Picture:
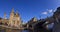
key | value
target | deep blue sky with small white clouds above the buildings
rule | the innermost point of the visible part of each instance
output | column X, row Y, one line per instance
column 29, row 8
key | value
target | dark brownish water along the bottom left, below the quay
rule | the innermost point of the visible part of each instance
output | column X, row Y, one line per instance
column 4, row 29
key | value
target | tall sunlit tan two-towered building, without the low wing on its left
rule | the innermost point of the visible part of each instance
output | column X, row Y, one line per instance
column 14, row 19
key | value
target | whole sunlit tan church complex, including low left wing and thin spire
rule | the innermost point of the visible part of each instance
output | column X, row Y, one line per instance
column 14, row 19
